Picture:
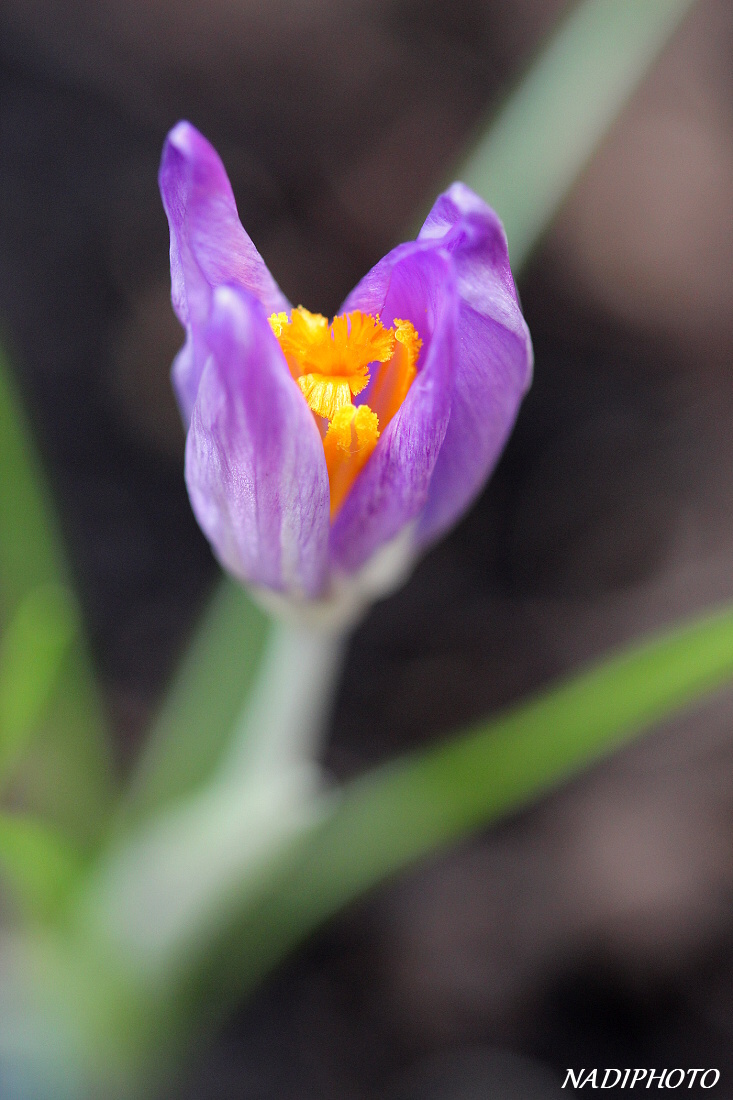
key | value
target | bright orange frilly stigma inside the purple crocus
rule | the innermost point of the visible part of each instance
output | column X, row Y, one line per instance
column 332, row 365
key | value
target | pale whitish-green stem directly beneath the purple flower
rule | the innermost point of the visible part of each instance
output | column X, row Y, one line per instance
column 163, row 889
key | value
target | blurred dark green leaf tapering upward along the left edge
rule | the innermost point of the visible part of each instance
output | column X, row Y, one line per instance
column 71, row 778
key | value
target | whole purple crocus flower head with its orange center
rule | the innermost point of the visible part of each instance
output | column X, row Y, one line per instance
column 323, row 459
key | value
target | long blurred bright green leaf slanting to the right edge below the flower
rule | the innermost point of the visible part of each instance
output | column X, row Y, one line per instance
column 413, row 808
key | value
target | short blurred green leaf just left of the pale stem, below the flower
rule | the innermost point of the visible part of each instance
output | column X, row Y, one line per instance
column 201, row 711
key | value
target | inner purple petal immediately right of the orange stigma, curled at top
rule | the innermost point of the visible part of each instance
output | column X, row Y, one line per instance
column 393, row 487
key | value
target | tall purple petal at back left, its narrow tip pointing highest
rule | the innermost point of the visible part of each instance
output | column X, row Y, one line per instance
column 209, row 248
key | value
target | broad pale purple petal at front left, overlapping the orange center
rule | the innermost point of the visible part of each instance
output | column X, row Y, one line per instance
column 255, row 460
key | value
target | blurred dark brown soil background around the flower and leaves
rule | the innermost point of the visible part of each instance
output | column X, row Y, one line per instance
column 597, row 929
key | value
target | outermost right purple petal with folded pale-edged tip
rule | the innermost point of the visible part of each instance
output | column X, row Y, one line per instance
column 495, row 362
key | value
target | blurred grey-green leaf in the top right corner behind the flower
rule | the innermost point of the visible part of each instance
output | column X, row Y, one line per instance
column 528, row 160
